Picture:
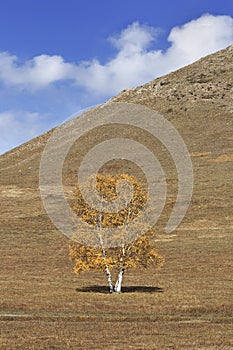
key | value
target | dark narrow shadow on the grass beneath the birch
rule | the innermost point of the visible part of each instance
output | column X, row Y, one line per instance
column 125, row 289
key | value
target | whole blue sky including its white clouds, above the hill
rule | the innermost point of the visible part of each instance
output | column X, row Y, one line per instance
column 57, row 57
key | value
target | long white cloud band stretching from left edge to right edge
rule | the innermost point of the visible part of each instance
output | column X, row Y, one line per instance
column 134, row 63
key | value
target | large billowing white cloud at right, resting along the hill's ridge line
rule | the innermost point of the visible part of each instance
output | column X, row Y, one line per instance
column 135, row 63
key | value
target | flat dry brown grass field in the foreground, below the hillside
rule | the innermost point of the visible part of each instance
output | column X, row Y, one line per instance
column 185, row 305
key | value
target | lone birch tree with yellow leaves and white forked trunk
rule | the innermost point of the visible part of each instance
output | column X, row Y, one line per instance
column 127, row 248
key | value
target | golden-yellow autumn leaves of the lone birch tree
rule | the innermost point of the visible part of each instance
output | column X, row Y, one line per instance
column 135, row 255
